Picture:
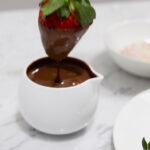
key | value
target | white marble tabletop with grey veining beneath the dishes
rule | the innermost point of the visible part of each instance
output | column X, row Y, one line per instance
column 20, row 43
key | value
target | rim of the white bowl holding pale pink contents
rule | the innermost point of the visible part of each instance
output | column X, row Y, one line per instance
column 120, row 24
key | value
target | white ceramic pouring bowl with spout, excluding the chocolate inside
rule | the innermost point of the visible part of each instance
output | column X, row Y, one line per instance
column 59, row 110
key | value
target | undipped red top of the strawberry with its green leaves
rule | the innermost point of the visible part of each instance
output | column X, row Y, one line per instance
column 66, row 14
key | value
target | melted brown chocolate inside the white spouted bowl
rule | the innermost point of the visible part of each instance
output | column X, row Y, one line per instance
column 72, row 72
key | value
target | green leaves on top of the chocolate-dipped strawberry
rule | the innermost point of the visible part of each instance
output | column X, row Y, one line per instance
column 83, row 9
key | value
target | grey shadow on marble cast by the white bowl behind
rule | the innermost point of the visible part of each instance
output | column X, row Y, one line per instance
column 116, row 79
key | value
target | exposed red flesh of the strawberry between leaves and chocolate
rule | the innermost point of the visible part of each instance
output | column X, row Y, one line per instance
column 53, row 21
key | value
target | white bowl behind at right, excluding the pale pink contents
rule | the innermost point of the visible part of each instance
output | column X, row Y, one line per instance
column 123, row 34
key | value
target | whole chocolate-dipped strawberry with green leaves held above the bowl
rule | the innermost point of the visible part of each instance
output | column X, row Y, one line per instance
column 62, row 23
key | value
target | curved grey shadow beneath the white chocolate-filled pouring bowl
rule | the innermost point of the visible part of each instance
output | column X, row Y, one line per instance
column 26, row 128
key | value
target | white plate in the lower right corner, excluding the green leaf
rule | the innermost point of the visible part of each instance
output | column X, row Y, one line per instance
column 133, row 123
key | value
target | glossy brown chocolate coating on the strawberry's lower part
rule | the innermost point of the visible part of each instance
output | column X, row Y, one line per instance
column 59, row 42
